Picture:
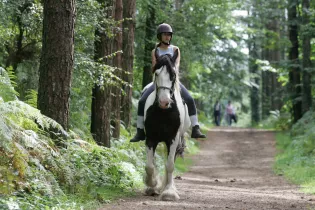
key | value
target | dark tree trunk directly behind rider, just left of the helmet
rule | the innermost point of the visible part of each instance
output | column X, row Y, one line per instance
column 149, row 45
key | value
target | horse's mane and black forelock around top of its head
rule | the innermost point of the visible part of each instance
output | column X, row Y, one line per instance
column 166, row 60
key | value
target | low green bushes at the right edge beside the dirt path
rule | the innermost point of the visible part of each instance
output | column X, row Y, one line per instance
column 297, row 151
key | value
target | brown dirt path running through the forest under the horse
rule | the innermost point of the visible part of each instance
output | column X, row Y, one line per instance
column 232, row 171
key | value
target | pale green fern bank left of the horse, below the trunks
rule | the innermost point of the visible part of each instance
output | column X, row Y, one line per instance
column 43, row 175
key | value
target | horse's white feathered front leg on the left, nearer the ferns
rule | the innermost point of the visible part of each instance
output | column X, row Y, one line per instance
column 152, row 179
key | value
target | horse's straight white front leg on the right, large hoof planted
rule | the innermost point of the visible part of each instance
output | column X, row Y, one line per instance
column 170, row 193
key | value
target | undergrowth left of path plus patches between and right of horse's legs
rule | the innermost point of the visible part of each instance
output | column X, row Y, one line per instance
column 69, row 171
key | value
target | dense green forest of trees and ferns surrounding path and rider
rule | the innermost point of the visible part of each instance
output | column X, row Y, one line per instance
column 71, row 73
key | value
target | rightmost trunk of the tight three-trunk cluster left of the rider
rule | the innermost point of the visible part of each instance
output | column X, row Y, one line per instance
column 128, row 56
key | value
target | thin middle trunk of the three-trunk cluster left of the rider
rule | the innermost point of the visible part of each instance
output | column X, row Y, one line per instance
column 118, row 64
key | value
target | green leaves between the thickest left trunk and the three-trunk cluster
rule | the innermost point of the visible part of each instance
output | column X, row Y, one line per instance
column 87, row 71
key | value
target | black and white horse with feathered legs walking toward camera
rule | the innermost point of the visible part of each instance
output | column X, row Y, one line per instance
column 166, row 120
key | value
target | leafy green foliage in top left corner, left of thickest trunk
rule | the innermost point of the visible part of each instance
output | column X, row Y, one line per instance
column 20, row 40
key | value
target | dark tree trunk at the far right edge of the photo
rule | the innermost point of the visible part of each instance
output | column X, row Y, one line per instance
column 307, row 77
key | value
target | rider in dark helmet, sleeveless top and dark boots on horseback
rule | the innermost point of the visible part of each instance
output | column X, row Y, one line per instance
column 164, row 34
